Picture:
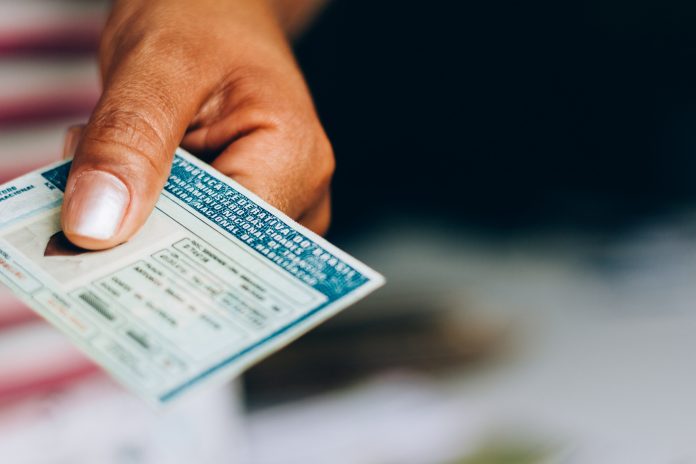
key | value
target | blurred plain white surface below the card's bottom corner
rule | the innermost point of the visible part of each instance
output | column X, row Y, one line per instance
column 97, row 422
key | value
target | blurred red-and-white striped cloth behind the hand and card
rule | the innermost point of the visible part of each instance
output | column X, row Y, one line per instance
column 48, row 80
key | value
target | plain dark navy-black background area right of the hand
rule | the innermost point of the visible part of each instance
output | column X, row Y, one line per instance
column 506, row 115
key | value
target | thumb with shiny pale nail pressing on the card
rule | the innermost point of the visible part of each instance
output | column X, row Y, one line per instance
column 124, row 155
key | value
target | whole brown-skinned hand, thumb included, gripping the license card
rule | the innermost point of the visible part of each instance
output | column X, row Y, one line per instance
column 217, row 77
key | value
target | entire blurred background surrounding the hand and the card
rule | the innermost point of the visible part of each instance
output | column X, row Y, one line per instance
column 521, row 172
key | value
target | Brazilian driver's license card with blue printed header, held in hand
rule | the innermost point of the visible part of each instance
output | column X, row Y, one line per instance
column 216, row 280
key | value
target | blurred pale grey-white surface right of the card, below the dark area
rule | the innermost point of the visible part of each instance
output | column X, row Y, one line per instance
column 601, row 364
